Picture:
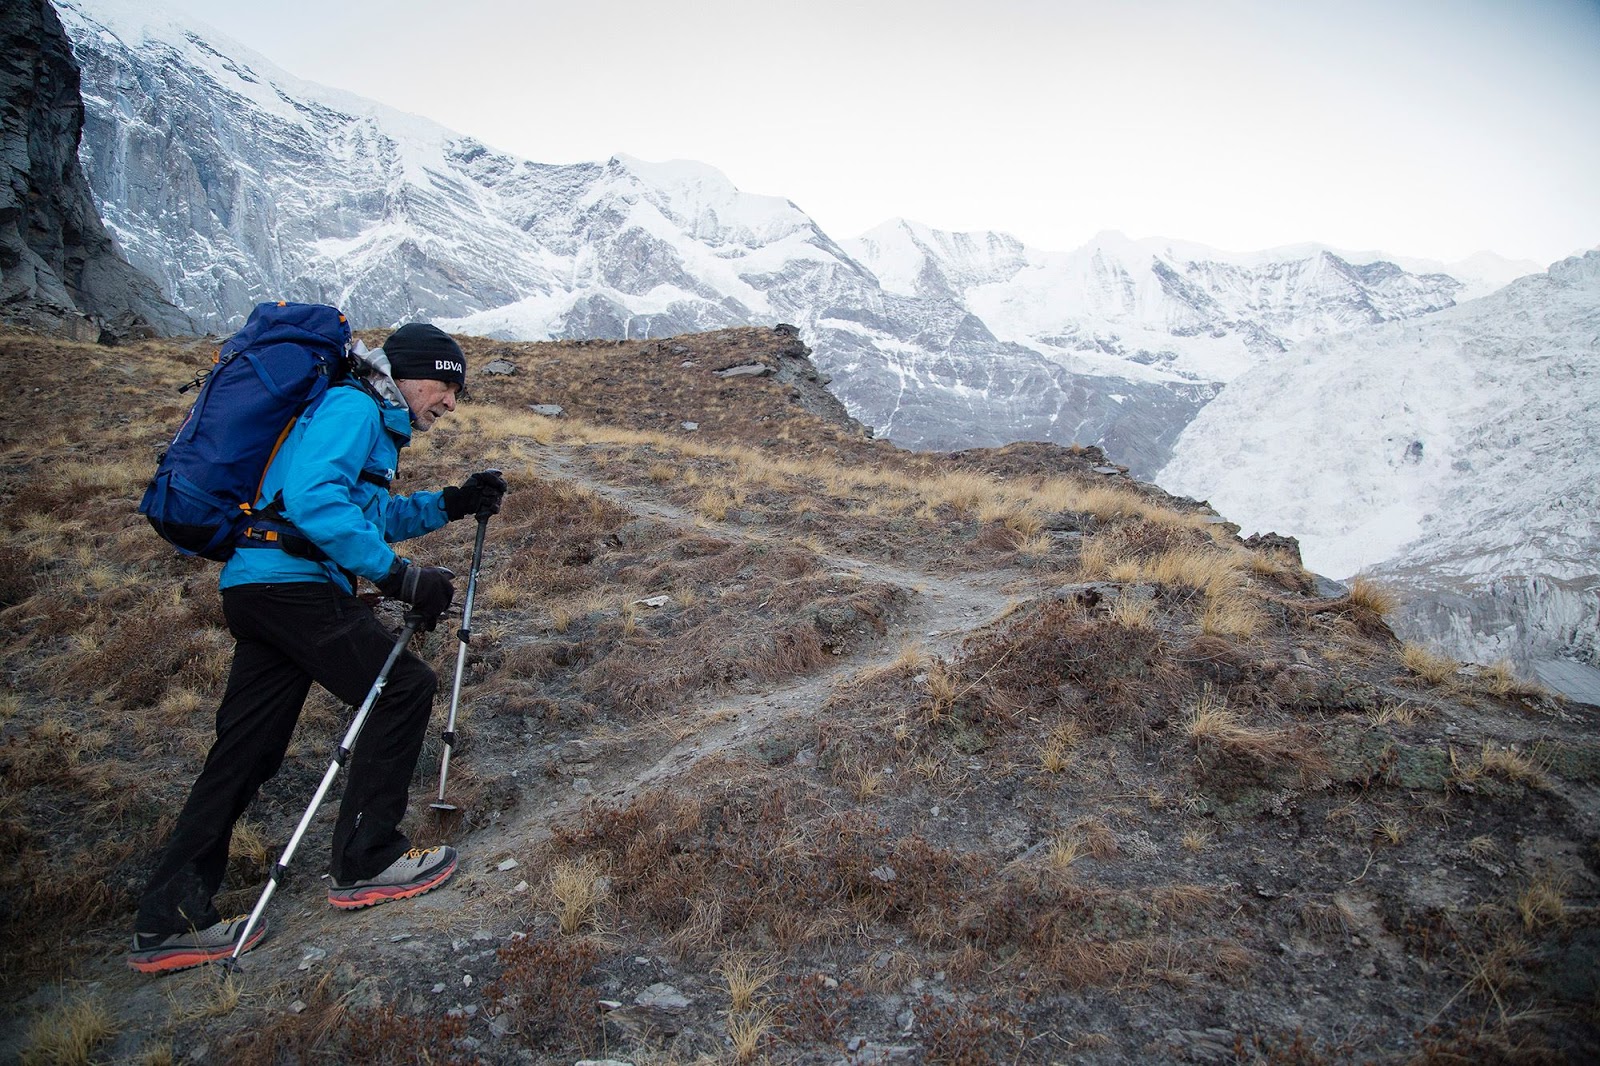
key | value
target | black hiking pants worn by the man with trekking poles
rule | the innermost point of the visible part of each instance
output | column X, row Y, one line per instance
column 290, row 636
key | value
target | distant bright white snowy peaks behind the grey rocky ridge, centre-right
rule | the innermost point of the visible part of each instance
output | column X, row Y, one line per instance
column 1177, row 311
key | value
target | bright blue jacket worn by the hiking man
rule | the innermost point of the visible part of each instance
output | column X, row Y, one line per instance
column 351, row 519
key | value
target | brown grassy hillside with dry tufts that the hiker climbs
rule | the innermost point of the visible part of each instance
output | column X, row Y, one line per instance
column 785, row 745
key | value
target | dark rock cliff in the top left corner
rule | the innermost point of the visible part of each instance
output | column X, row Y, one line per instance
column 60, row 271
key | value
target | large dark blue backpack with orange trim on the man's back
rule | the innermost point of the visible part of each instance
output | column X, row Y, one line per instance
column 263, row 379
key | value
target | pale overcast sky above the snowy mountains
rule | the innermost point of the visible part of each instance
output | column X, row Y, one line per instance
column 1415, row 127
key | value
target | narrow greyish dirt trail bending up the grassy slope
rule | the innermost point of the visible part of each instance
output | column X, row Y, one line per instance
column 486, row 900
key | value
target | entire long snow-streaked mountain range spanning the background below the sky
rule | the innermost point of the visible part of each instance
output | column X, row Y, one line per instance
column 231, row 182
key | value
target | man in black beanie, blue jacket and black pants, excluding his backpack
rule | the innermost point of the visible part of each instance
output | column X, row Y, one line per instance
column 289, row 596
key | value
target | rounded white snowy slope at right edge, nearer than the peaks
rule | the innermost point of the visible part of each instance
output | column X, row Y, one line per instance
column 1455, row 457
